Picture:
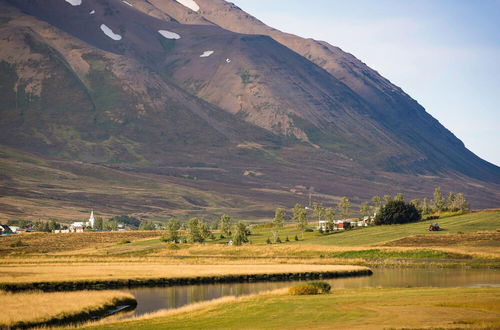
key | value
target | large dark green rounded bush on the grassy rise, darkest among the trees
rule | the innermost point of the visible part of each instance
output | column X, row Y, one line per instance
column 395, row 212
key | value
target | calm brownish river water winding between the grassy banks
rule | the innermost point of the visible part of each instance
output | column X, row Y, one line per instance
column 154, row 299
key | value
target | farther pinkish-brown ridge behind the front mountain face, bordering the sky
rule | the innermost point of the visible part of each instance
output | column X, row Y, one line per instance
column 388, row 105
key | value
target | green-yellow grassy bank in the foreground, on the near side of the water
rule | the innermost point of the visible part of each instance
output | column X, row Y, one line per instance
column 343, row 309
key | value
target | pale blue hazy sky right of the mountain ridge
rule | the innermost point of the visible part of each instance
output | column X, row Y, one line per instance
column 443, row 53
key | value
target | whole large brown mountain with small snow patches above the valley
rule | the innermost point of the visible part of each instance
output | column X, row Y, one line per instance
column 200, row 91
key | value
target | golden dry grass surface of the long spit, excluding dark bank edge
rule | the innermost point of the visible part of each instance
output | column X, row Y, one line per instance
column 137, row 270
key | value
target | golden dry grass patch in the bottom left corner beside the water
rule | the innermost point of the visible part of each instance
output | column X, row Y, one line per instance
column 42, row 307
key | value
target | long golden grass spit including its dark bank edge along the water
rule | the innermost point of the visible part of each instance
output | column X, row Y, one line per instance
column 75, row 277
